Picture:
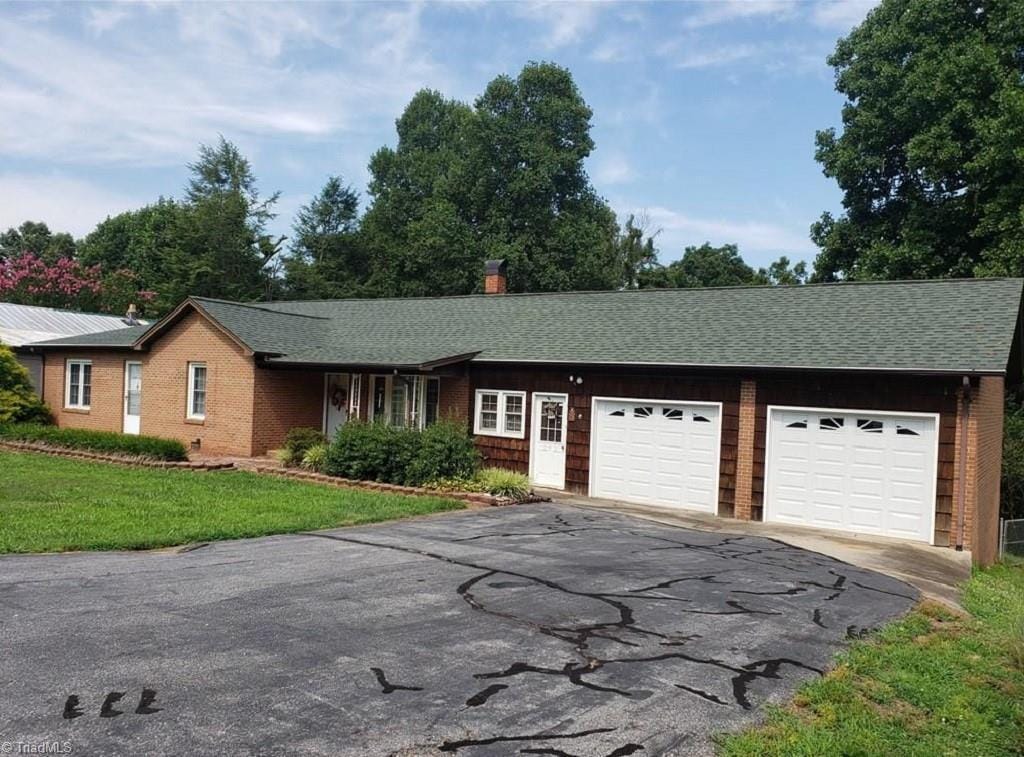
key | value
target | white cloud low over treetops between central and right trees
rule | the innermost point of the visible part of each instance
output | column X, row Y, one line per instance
column 758, row 241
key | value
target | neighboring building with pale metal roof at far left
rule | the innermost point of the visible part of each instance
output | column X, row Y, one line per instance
column 26, row 324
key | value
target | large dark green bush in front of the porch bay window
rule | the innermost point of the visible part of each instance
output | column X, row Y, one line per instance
column 382, row 453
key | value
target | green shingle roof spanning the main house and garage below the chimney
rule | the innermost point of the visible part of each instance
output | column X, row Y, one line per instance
column 950, row 326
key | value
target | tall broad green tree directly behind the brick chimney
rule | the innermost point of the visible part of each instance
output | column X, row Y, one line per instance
column 502, row 180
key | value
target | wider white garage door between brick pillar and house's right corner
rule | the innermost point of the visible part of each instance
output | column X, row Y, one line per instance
column 868, row 473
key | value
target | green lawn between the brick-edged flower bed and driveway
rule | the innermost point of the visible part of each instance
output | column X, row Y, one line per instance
column 50, row 504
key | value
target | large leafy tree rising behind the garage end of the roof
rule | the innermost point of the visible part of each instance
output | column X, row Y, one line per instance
column 931, row 156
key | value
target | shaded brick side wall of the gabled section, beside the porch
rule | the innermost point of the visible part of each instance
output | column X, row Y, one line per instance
column 285, row 400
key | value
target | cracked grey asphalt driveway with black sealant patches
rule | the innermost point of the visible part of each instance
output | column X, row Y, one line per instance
column 538, row 629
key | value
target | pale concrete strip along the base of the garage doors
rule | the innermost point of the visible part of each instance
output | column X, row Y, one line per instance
column 936, row 572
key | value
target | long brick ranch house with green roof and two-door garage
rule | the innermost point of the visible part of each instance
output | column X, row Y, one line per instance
column 874, row 408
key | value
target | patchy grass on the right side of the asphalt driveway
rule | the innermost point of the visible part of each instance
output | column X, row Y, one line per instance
column 934, row 684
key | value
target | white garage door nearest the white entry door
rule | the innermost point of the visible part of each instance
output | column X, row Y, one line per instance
column 657, row 453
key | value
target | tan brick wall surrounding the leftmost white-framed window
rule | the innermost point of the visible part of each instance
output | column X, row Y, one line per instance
column 107, row 405
